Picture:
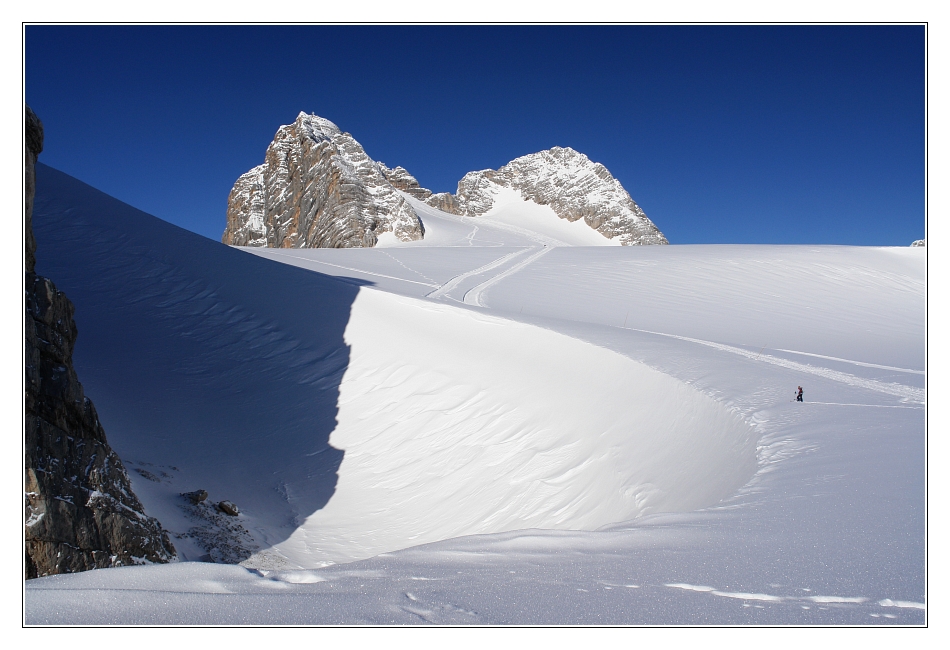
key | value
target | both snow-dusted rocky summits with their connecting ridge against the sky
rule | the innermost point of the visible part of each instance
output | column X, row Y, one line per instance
column 318, row 189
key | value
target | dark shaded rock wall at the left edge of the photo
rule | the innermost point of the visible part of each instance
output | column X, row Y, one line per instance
column 80, row 511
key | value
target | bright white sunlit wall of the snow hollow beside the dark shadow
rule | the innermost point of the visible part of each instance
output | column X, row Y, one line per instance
column 489, row 426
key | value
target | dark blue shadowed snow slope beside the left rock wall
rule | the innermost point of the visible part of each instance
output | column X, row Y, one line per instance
column 211, row 369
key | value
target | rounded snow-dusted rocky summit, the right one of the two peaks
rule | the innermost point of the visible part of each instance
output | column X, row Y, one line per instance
column 573, row 186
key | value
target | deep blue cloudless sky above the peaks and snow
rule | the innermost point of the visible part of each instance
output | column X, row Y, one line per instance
column 727, row 134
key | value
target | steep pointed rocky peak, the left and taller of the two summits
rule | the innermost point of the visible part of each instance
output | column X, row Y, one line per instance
column 317, row 188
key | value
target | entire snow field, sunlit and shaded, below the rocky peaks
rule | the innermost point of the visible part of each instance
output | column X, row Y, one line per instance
column 501, row 424
